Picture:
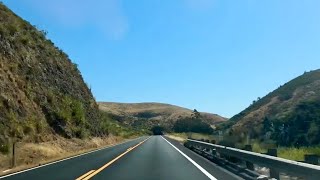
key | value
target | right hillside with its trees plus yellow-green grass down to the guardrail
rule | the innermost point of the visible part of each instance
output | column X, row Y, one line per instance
column 287, row 119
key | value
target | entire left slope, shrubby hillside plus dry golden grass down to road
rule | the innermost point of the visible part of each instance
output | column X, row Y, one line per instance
column 45, row 105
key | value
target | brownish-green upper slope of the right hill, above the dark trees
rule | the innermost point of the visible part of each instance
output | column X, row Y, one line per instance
column 281, row 102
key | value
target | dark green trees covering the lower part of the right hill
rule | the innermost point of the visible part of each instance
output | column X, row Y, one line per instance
column 299, row 128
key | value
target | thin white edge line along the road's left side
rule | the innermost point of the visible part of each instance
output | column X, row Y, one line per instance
column 19, row 172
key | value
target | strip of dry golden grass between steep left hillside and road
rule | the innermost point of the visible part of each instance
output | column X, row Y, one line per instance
column 34, row 154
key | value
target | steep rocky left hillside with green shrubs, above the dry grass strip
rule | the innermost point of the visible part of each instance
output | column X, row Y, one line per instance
column 41, row 90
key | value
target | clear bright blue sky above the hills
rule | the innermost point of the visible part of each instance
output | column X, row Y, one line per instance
column 212, row 55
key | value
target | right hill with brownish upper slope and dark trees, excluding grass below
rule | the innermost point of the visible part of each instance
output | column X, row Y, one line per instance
column 290, row 114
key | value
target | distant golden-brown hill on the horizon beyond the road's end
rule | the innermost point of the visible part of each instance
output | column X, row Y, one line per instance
column 149, row 114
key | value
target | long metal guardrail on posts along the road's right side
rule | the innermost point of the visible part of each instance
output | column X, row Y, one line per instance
column 294, row 168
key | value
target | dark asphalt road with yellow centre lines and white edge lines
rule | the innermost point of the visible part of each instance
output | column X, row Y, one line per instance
column 151, row 158
